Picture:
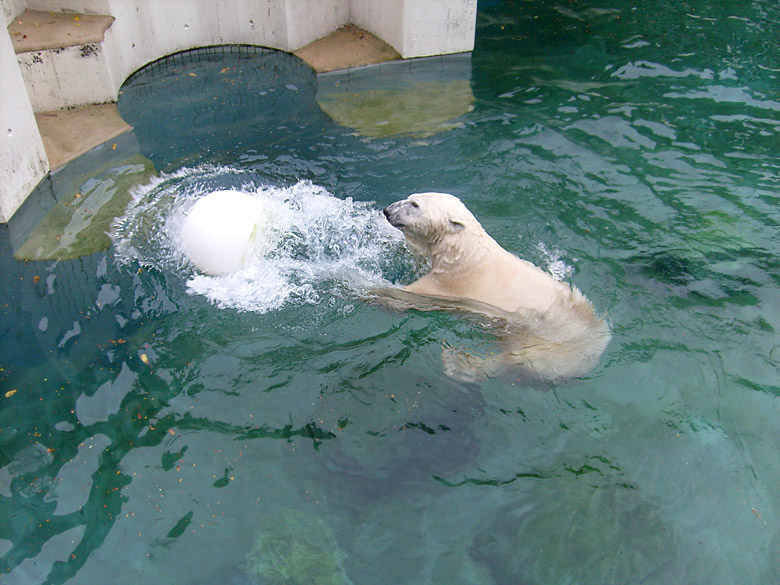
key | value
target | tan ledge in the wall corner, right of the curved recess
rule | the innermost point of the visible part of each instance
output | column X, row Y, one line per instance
column 348, row 47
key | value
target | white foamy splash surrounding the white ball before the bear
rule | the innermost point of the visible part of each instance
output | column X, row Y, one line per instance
column 312, row 245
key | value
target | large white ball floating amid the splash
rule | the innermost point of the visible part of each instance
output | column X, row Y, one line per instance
column 219, row 230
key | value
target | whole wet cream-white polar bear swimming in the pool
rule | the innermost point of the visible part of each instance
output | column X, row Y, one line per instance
column 545, row 328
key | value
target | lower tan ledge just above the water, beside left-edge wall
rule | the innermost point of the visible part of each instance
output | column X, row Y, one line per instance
column 69, row 133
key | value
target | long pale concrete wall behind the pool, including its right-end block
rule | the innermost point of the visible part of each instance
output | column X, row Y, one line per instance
column 145, row 30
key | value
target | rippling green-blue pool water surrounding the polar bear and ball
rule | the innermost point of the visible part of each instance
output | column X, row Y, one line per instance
column 156, row 427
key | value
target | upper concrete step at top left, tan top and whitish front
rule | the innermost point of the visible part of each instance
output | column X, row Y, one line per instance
column 62, row 58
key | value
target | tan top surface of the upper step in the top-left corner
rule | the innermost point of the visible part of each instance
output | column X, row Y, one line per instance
column 36, row 30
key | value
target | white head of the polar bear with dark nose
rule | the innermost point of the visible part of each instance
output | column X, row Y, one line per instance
column 434, row 222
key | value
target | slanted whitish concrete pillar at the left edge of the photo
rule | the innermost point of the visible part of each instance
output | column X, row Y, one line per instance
column 23, row 161
